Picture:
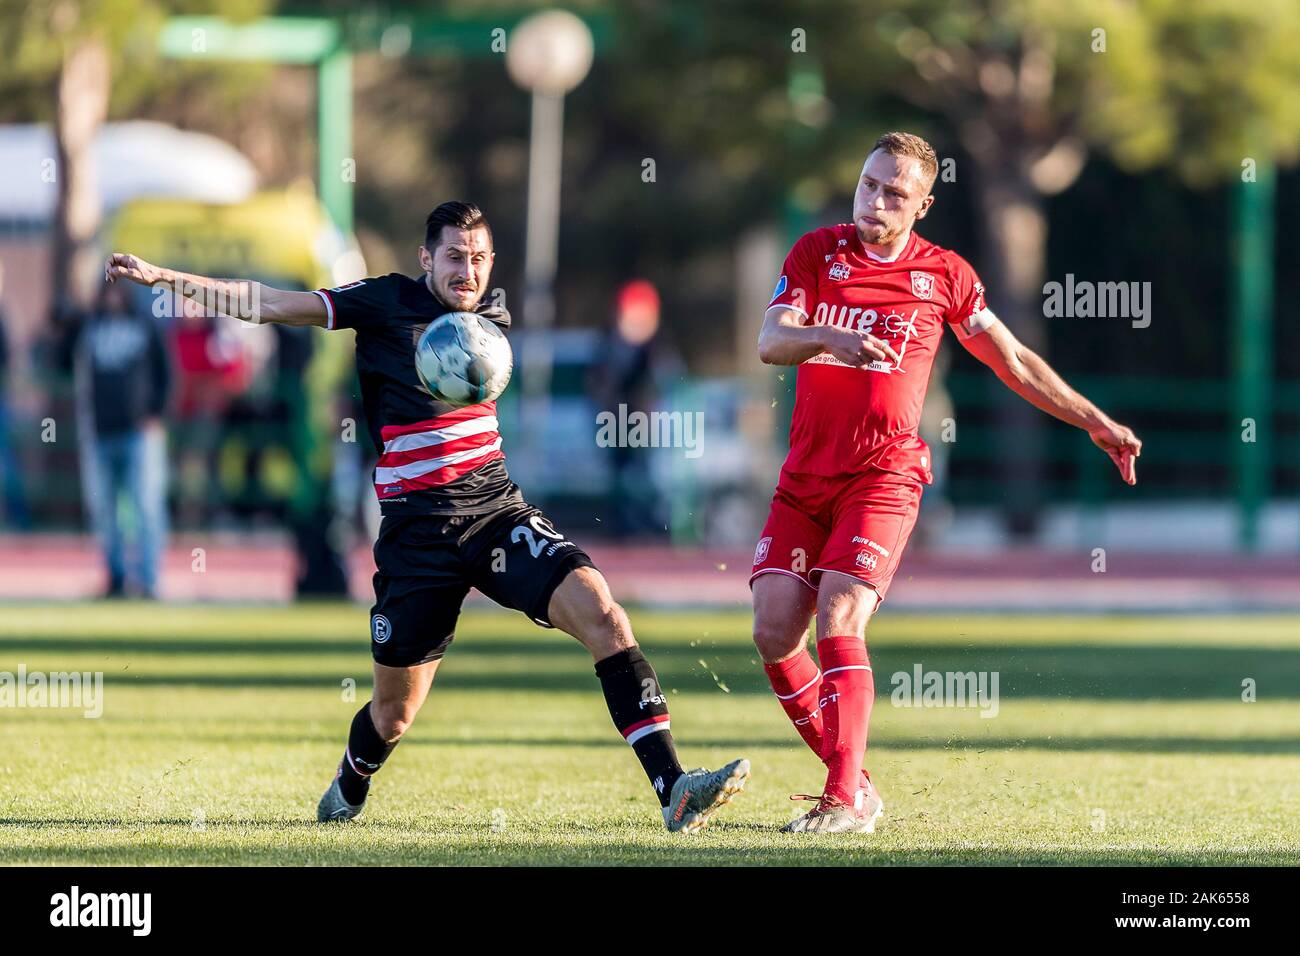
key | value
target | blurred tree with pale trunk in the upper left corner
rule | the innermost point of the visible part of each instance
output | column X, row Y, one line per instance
column 68, row 62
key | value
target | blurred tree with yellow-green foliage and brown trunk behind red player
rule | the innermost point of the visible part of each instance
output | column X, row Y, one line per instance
column 1030, row 85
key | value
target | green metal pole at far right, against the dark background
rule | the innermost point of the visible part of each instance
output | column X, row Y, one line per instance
column 1253, row 353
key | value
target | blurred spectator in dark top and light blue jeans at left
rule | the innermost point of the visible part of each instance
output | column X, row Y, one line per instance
column 123, row 384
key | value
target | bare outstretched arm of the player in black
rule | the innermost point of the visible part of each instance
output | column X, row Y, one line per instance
column 240, row 299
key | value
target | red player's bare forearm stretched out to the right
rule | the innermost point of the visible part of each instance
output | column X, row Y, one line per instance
column 1028, row 375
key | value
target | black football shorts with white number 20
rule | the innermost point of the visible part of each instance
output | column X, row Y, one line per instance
column 428, row 564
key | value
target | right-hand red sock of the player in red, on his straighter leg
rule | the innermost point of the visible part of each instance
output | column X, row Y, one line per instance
column 847, row 695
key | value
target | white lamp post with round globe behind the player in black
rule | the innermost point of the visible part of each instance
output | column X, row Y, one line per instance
column 549, row 54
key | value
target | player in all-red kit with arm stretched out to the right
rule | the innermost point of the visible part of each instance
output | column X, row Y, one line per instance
column 861, row 309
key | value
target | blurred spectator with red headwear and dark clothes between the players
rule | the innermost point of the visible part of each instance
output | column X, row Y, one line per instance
column 631, row 369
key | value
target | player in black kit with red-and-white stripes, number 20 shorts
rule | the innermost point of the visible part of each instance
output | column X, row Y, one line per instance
column 453, row 520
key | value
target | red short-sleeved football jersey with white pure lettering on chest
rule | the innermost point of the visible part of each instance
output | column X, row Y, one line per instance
column 852, row 419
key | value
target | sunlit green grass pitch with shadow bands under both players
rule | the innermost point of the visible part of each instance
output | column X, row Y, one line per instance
column 1117, row 741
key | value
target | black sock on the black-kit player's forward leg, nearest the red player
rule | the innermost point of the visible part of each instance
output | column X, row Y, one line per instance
column 640, row 711
